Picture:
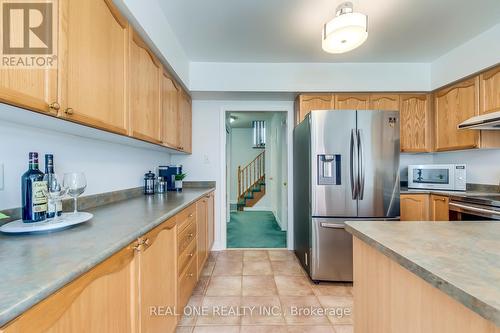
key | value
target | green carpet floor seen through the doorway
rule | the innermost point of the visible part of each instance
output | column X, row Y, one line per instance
column 254, row 229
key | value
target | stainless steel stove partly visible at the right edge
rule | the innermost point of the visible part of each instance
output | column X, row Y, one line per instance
column 482, row 207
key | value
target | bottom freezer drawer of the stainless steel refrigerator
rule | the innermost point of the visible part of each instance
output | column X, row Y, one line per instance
column 331, row 257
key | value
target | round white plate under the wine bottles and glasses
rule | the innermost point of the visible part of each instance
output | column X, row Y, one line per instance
column 66, row 220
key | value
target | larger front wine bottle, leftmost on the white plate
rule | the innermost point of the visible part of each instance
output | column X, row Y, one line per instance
column 34, row 200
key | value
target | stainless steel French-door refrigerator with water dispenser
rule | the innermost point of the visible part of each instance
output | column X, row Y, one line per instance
column 346, row 167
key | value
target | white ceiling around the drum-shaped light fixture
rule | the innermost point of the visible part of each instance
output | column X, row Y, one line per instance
column 290, row 30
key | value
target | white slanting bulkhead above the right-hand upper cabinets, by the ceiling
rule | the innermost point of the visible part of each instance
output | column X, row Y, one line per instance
column 478, row 53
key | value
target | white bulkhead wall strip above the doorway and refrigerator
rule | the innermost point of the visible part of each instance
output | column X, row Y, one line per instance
column 210, row 76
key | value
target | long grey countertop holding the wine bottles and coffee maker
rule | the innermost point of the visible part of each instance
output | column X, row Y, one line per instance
column 35, row 266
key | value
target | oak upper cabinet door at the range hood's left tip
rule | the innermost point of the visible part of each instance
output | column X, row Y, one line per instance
column 452, row 106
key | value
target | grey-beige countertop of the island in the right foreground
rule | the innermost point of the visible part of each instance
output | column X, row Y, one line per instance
column 462, row 259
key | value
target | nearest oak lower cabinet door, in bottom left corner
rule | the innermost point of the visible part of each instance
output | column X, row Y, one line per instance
column 101, row 300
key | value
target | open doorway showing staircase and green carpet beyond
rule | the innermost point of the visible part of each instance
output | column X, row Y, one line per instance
column 256, row 184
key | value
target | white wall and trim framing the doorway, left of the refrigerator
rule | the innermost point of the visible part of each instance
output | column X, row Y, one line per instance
column 208, row 158
